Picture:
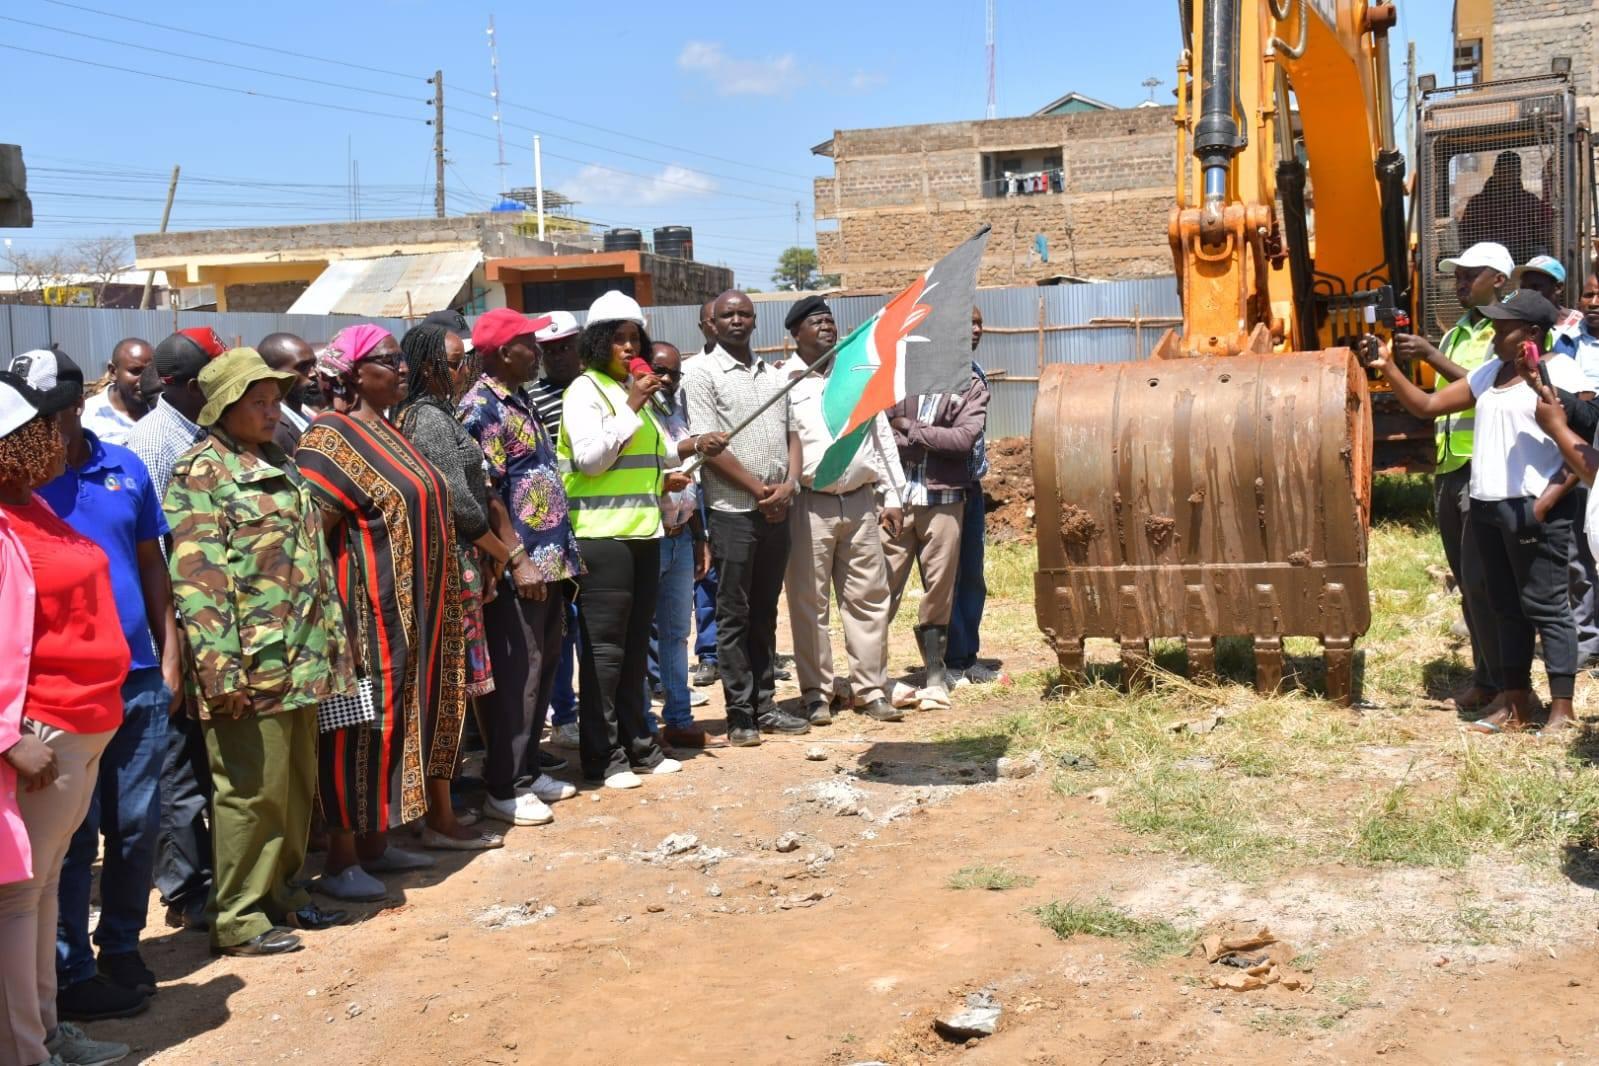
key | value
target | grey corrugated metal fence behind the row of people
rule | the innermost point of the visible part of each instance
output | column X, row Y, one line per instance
column 1026, row 328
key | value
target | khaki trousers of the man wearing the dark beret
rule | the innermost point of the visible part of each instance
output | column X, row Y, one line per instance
column 835, row 547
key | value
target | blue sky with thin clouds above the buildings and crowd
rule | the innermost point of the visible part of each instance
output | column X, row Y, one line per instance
column 652, row 113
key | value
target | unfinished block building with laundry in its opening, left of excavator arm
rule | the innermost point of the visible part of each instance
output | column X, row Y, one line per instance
column 1080, row 191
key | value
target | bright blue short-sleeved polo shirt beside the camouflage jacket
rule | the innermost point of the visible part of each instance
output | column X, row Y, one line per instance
column 113, row 503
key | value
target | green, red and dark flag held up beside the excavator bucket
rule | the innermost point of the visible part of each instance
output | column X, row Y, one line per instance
column 917, row 346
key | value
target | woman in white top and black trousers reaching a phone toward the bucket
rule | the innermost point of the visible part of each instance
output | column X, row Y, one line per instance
column 1521, row 514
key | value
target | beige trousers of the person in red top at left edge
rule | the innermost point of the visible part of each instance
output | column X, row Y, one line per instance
column 28, row 909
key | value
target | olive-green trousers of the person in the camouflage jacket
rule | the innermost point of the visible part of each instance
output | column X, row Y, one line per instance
column 265, row 770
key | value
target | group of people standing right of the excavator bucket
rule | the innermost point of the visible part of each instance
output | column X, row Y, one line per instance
column 1515, row 418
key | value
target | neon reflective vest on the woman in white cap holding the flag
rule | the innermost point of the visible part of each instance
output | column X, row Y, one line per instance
column 626, row 499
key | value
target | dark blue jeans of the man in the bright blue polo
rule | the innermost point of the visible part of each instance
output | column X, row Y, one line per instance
column 127, row 808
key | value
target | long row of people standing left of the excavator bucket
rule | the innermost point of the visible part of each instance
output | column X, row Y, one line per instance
column 260, row 602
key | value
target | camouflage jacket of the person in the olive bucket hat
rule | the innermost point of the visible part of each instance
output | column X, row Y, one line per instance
column 253, row 581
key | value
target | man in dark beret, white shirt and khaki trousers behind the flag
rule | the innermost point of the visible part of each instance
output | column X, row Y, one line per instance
column 834, row 539
